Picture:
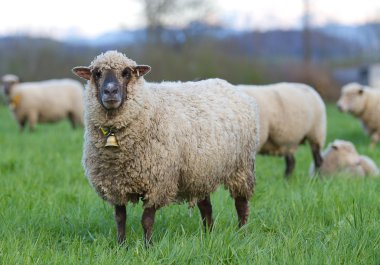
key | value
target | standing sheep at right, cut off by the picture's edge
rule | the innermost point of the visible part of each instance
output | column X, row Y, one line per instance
column 363, row 103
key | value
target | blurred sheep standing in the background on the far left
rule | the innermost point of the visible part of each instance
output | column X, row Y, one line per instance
column 44, row 101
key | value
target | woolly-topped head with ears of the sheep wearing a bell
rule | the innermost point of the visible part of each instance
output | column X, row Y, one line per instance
column 111, row 74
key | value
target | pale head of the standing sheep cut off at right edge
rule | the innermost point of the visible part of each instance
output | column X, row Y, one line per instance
column 352, row 99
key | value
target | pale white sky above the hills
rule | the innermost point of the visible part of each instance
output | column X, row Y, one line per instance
column 92, row 18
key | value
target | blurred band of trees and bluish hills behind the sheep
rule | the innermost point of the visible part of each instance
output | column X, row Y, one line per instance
column 196, row 51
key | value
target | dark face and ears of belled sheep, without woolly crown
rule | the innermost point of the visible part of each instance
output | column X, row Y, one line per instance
column 111, row 84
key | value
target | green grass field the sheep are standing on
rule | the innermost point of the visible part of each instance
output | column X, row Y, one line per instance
column 50, row 214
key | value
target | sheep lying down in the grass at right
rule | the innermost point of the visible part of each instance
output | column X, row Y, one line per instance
column 342, row 158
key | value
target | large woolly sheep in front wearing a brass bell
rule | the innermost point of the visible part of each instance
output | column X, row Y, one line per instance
column 165, row 142
